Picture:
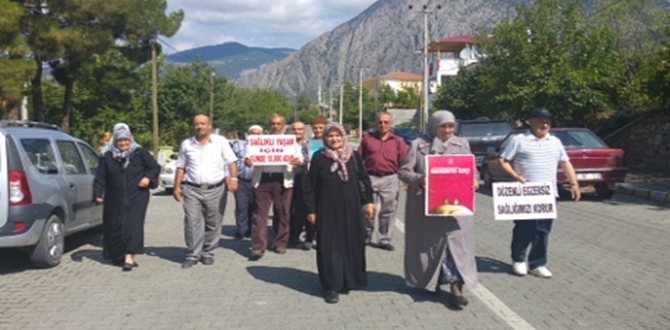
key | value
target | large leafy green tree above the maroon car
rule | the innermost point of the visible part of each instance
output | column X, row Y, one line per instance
column 549, row 55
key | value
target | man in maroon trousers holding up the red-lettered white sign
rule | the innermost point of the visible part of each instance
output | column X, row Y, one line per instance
column 273, row 186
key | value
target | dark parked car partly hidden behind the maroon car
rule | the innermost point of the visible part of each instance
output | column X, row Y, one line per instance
column 482, row 134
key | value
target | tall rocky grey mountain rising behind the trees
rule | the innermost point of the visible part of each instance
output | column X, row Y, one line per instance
column 382, row 39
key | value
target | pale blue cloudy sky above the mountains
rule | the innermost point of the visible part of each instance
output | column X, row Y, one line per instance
column 261, row 23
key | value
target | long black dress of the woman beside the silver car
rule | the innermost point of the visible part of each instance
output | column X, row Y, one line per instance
column 125, row 203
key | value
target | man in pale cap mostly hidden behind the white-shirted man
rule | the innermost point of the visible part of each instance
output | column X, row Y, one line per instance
column 244, row 196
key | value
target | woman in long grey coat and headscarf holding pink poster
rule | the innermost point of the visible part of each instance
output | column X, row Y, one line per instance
column 438, row 250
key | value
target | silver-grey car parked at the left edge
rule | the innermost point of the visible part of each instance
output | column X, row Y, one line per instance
column 46, row 189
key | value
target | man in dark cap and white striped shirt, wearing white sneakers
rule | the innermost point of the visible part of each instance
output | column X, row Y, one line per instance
column 534, row 156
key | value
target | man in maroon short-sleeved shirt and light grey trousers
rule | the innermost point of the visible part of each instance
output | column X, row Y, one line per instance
column 382, row 153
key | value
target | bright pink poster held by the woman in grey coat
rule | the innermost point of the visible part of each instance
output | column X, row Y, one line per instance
column 449, row 182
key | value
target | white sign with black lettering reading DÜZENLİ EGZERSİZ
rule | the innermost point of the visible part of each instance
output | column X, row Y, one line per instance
column 524, row 201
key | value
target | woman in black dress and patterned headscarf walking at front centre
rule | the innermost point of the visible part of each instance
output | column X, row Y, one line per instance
column 335, row 188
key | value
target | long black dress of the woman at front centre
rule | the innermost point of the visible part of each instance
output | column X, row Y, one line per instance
column 340, row 226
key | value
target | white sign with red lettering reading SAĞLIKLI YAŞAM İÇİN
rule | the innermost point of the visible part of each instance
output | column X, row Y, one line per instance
column 272, row 149
